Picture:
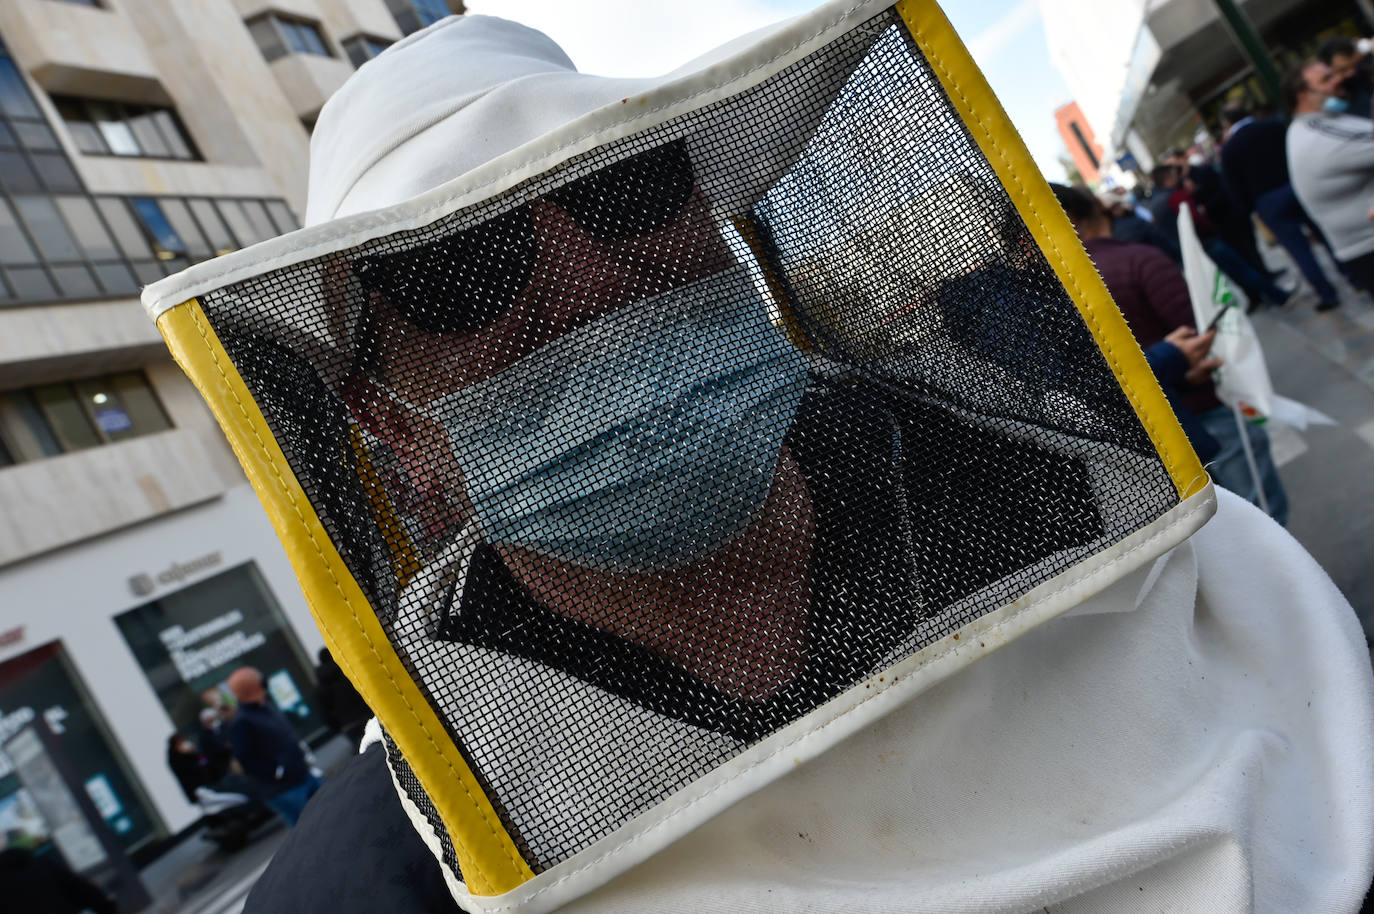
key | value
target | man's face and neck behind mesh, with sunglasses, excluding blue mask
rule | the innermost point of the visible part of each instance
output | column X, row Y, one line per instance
column 462, row 311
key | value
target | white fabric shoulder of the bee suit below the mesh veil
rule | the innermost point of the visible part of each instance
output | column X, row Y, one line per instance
column 1196, row 739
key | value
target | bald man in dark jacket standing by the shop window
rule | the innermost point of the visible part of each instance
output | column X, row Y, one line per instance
column 267, row 747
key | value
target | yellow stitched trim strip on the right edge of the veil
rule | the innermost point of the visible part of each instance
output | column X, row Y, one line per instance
column 1052, row 230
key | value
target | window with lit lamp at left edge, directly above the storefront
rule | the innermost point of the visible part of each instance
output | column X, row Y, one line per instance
column 74, row 416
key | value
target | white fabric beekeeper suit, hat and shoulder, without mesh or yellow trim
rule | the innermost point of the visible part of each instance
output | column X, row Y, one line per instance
column 1196, row 737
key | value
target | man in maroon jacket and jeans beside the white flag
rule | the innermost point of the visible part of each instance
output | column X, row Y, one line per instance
column 1151, row 292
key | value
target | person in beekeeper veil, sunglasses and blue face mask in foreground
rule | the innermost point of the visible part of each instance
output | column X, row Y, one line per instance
column 645, row 467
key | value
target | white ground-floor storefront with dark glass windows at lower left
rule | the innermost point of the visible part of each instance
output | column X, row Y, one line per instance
column 111, row 647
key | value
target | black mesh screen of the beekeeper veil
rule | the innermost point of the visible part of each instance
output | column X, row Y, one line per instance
column 649, row 457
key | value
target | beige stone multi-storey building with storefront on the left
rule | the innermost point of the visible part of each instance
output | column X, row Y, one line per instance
column 137, row 567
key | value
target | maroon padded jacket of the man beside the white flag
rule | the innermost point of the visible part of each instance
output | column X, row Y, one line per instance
column 1152, row 293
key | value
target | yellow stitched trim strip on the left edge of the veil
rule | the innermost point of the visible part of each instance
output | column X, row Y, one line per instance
column 486, row 854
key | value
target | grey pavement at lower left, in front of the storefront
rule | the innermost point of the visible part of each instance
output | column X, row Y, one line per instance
column 196, row 878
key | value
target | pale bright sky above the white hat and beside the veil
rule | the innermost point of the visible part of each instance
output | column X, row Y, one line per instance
column 648, row 38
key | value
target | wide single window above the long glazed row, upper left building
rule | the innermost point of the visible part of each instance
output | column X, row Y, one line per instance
column 112, row 129
